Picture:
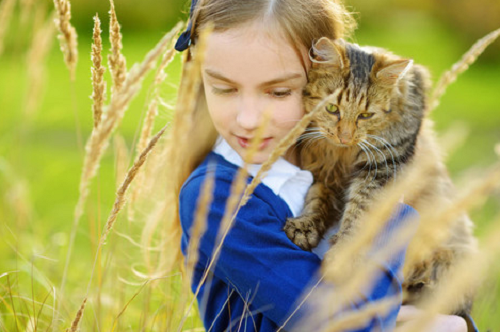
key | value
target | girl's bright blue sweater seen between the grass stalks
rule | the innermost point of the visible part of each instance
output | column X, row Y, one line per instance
column 259, row 260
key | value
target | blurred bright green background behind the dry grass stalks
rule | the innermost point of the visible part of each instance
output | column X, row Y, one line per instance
column 41, row 148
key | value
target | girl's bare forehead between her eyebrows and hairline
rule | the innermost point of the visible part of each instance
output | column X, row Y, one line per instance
column 253, row 51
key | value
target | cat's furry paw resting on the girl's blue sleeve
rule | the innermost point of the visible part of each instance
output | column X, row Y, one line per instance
column 303, row 232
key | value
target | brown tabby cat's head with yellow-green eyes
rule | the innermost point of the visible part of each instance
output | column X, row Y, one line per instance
column 367, row 79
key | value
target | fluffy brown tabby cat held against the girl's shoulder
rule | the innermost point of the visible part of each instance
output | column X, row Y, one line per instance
column 352, row 158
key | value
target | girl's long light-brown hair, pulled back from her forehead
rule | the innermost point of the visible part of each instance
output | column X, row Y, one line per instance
column 301, row 21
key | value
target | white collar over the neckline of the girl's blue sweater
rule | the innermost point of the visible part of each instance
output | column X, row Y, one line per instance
column 285, row 179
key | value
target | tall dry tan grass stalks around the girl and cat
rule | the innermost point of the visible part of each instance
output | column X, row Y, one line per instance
column 178, row 303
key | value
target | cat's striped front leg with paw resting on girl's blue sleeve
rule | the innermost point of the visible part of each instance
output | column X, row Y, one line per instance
column 308, row 229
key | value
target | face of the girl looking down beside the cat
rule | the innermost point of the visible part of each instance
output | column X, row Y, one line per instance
column 248, row 71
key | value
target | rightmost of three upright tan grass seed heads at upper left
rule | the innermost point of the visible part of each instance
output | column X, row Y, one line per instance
column 116, row 60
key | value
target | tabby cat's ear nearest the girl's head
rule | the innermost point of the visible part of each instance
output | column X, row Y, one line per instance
column 327, row 51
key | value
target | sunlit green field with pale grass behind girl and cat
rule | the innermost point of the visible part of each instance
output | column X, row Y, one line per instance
column 46, row 121
